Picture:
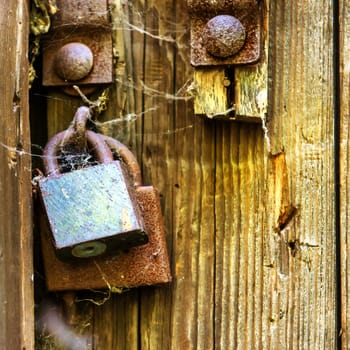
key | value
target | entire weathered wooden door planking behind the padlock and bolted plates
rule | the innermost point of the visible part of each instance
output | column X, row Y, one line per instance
column 256, row 220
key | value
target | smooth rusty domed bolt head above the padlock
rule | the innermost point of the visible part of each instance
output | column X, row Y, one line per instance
column 74, row 61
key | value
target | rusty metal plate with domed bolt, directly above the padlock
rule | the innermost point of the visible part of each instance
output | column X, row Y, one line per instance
column 78, row 48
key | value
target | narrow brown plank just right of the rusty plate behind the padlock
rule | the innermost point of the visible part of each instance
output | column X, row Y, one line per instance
column 192, row 325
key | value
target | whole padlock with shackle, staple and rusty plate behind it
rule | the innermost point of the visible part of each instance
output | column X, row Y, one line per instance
column 105, row 228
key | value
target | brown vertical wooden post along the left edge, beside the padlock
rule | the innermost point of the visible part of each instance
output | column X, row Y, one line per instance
column 16, row 272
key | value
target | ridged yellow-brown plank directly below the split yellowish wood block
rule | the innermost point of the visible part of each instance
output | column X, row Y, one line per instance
column 239, row 194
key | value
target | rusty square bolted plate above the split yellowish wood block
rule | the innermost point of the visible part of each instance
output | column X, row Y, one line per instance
column 237, row 23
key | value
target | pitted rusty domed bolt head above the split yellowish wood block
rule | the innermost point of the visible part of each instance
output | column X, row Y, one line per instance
column 223, row 36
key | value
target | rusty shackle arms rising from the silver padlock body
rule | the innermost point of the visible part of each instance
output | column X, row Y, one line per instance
column 101, row 151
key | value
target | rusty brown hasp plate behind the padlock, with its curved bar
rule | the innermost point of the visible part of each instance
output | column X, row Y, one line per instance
column 146, row 264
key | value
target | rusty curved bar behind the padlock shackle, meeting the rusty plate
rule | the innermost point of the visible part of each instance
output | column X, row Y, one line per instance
column 127, row 157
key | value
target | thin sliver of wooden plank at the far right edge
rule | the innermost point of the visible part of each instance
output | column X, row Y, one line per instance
column 344, row 150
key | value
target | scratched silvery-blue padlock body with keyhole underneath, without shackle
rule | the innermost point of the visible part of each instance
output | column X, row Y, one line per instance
column 92, row 211
